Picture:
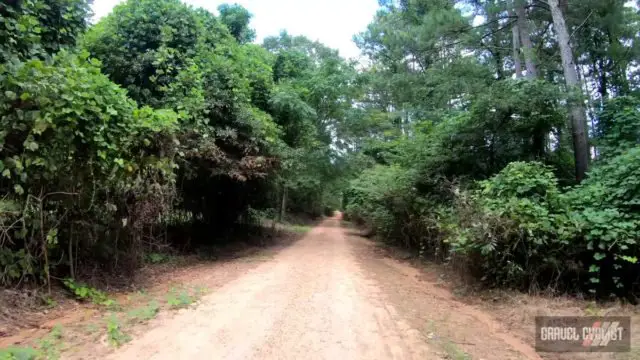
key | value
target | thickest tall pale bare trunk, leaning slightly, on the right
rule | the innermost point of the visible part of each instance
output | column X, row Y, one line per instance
column 577, row 111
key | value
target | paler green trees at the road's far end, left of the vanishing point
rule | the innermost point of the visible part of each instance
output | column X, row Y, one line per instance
column 313, row 93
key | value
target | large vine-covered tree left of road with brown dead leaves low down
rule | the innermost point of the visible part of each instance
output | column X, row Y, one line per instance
column 219, row 88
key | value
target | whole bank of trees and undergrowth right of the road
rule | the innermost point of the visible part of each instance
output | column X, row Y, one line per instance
column 505, row 139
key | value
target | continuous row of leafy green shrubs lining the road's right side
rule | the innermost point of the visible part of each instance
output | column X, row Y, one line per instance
column 518, row 229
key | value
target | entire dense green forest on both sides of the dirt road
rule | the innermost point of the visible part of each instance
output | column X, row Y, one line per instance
column 499, row 137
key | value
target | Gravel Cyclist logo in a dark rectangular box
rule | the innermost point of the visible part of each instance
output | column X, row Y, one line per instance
column 583, row 334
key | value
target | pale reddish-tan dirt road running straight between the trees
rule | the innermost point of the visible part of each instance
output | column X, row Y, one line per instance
column 326, row 297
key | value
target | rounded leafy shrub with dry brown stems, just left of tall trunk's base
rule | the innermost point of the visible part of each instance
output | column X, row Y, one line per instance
column 510, row 236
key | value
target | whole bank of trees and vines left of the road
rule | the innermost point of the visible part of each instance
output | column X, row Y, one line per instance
column 160, row 125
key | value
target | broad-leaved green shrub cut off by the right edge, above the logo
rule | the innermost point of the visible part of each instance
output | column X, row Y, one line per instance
column 607, row 221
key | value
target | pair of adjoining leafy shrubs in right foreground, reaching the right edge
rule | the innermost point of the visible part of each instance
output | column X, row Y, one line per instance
column 519, row 230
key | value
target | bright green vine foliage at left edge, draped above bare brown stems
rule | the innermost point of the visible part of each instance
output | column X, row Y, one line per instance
column 38, row 101
